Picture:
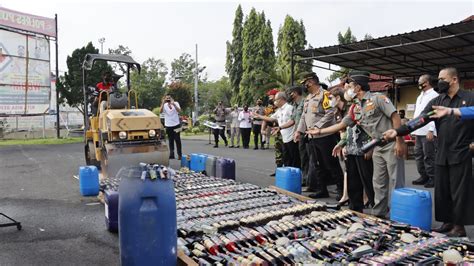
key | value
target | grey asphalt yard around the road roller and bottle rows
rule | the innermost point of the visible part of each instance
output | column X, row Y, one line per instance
column 61, row 227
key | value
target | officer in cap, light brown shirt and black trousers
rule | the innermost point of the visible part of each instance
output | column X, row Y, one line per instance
column 317, row 113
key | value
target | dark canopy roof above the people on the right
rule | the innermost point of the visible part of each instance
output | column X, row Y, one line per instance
column 407, row 54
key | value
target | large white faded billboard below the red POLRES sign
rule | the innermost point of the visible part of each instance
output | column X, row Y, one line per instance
column 25, row 74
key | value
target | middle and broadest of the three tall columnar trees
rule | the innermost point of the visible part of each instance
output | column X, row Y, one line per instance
column 257, row 56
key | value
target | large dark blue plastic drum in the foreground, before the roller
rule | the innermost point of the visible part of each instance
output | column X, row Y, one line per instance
column 147, row 219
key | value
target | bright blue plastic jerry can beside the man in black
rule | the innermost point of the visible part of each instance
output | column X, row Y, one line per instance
column 411, row 206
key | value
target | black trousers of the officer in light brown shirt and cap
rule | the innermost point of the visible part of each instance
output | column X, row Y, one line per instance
column 322, row 163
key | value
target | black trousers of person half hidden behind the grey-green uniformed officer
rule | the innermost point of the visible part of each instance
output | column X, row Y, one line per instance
column 359, row 178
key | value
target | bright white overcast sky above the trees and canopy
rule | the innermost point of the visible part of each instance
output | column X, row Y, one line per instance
column 167, row 29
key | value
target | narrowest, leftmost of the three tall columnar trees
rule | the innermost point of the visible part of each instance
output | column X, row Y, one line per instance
column 234, row 52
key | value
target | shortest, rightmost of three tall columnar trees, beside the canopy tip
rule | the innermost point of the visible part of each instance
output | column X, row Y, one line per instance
column 291, row 38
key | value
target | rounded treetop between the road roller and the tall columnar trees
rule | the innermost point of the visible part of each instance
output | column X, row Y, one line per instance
column 183, row 68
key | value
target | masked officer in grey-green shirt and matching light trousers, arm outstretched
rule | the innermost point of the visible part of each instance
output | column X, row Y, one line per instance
column 375, row 114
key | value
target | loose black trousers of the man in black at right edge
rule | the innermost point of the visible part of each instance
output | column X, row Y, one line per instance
column 454, row 199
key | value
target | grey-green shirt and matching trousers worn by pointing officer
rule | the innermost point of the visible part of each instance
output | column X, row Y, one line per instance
column 373, row 113
